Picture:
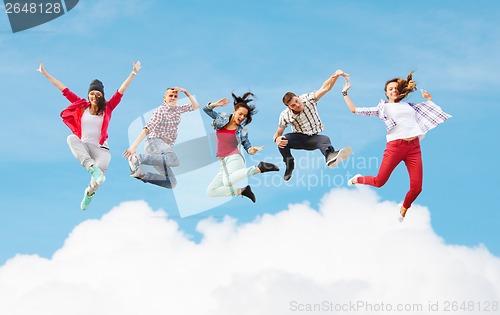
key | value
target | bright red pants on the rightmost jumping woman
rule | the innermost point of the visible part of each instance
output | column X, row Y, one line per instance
column 395, row 152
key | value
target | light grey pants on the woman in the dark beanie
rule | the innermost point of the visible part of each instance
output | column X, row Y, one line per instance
column 89, row 154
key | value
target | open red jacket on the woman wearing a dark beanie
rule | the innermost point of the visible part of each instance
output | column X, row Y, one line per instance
column 72, row 115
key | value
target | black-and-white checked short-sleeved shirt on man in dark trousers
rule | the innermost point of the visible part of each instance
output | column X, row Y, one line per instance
column 307, row 121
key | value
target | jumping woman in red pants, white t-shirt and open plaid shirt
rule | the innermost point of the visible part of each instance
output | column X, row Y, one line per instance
column 406, row 125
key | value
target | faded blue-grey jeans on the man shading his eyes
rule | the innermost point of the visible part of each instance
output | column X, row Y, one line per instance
column 161, row 156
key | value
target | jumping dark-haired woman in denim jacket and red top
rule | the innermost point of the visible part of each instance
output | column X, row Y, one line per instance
column 230, row 136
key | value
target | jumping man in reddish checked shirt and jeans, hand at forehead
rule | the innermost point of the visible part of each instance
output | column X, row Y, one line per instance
column 161, row 132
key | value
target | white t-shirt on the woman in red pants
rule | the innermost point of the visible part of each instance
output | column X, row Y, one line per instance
column 406, row 121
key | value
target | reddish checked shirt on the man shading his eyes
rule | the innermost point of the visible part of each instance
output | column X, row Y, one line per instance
column 165, row 122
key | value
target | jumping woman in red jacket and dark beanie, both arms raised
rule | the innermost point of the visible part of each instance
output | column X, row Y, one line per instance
column 89, row 121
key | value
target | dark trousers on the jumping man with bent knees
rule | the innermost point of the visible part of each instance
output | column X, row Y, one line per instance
column 300, row 141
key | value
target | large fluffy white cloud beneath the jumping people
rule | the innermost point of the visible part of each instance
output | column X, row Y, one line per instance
column 352, row 250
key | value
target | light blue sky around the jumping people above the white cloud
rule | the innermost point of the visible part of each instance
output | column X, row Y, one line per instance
column 269, row 47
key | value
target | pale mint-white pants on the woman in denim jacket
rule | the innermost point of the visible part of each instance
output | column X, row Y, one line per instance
column 232, row 170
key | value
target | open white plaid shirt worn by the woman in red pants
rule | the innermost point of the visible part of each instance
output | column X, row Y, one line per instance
column 427, row 114
